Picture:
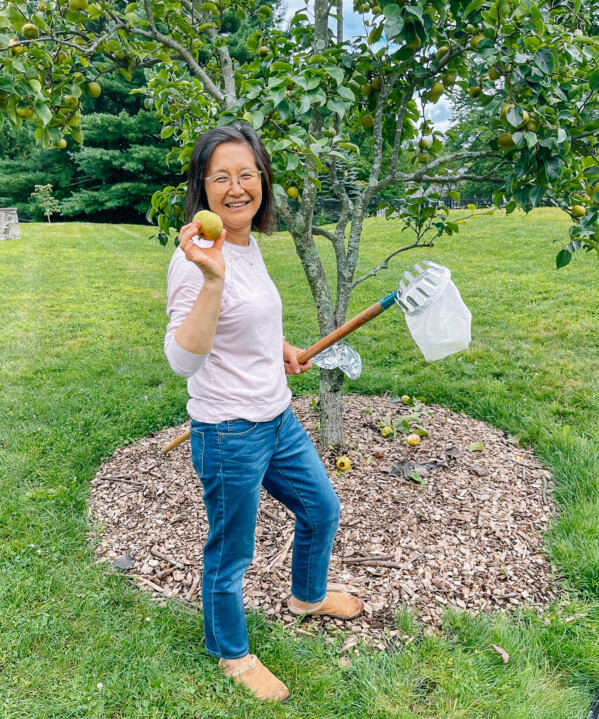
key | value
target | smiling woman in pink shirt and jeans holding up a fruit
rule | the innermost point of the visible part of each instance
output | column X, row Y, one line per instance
column 225, row 335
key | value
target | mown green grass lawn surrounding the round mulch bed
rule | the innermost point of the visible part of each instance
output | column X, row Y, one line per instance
column 82, row 372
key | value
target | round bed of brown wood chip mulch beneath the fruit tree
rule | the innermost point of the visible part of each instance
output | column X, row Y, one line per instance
column 470, row 535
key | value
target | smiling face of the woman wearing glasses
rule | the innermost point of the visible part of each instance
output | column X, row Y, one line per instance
column 235, row 205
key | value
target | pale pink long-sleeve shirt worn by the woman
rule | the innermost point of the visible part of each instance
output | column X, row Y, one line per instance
column 243, row 376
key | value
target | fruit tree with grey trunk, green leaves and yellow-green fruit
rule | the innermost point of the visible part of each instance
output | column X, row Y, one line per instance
column 530, row 66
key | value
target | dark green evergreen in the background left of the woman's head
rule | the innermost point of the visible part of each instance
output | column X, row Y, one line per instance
column 110, row 178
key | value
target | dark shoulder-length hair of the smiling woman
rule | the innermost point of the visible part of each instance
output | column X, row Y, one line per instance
column 243, row 134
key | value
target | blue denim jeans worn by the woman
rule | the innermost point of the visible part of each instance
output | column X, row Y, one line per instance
column 234, row 459
